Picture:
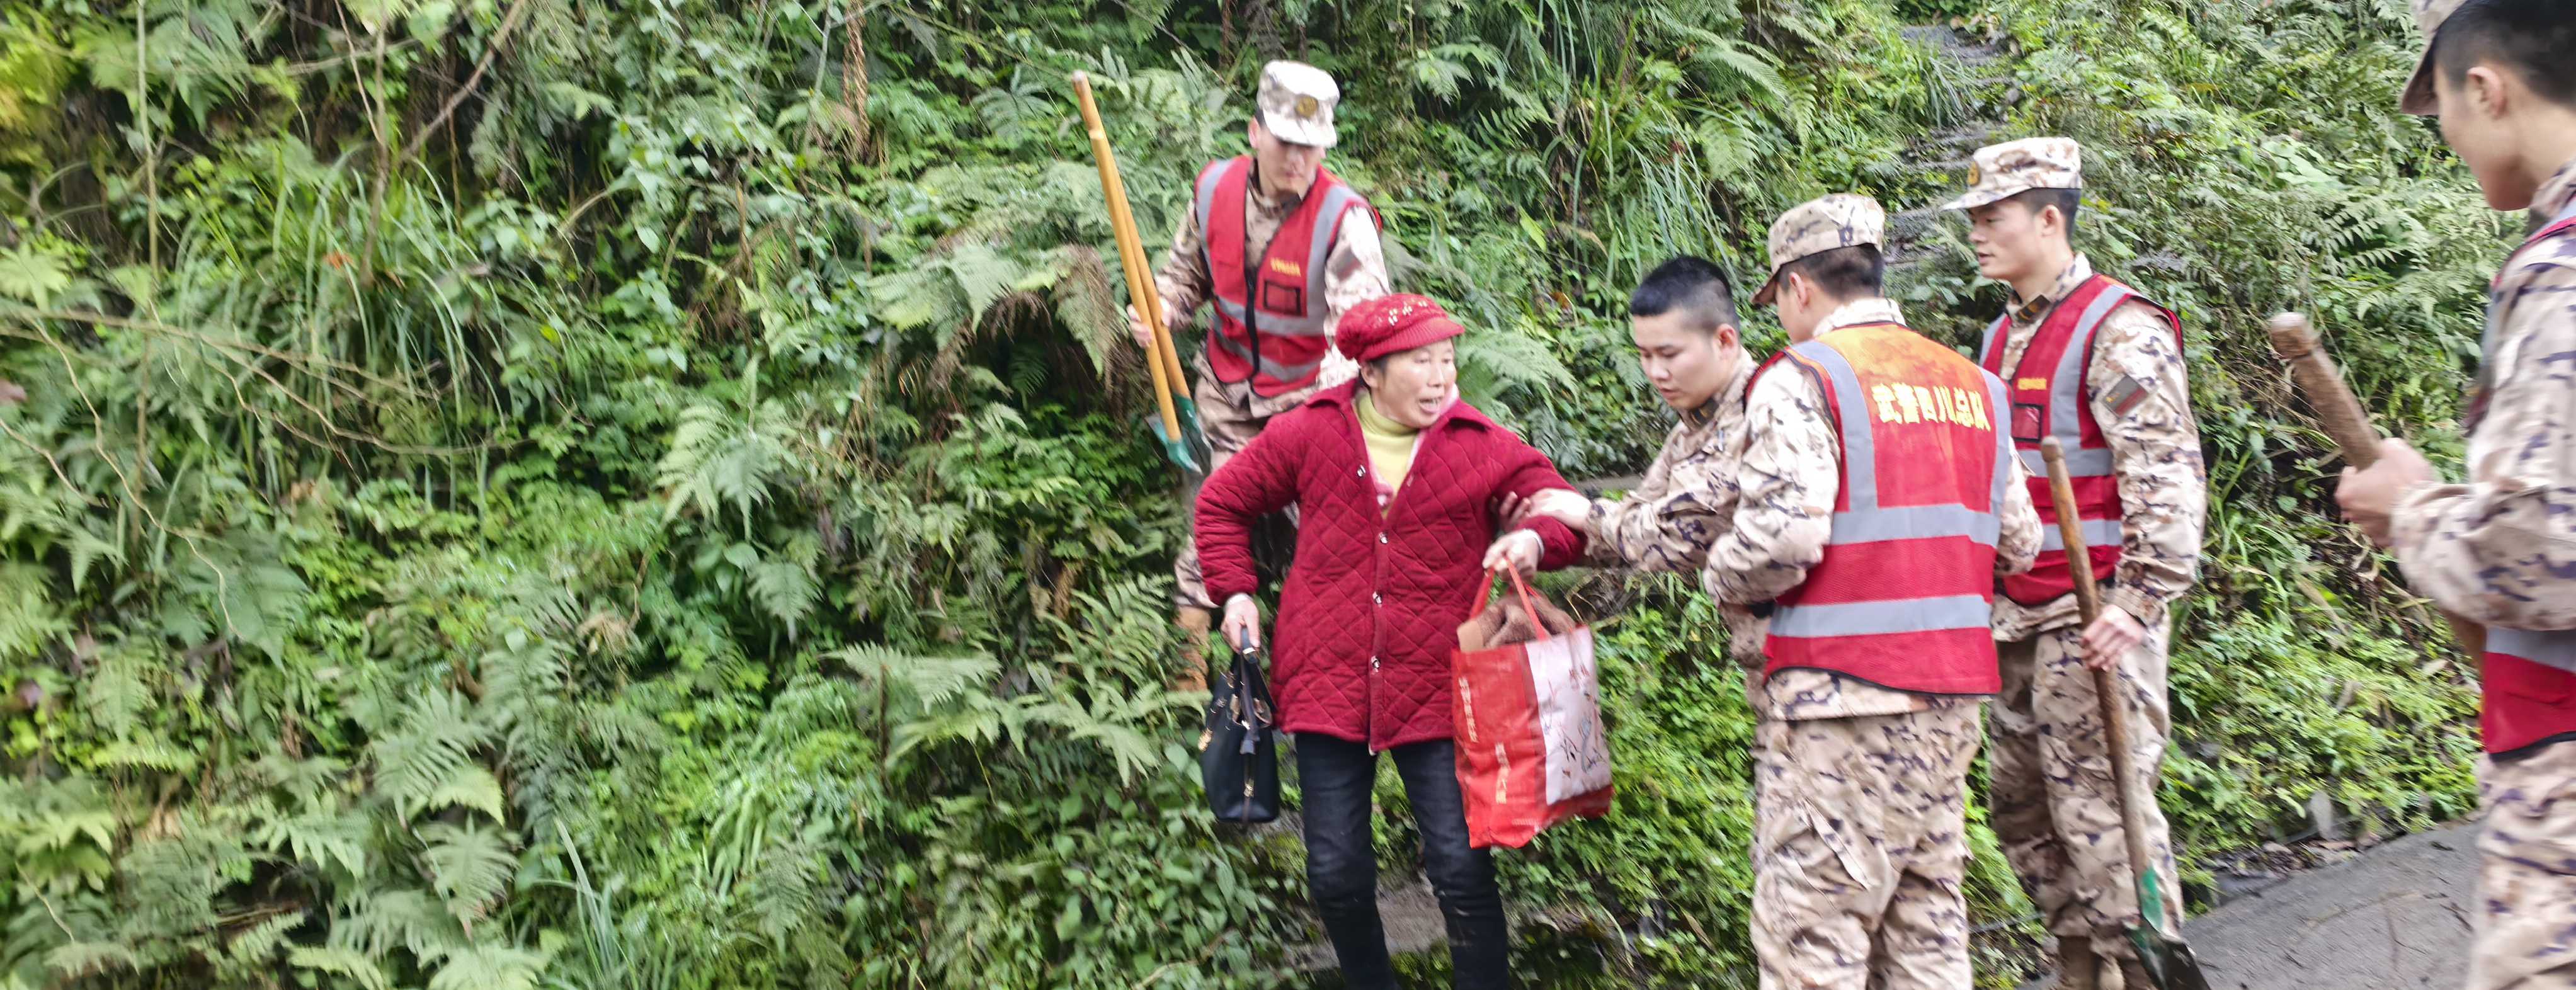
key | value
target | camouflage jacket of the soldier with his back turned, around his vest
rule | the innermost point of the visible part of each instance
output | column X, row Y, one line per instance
column 1786, row 514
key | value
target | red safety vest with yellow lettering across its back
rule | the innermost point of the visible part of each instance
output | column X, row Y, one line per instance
column 1905, row 592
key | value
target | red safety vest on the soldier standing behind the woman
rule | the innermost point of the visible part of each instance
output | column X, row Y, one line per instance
column 1274, row 336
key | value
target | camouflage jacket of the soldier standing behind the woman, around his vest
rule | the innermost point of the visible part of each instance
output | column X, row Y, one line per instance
column 1354, row 275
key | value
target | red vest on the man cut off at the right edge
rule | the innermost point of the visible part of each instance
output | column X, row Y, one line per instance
column 2528, row 677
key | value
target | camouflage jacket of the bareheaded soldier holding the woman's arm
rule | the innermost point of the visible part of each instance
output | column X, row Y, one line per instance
column 1683, row 504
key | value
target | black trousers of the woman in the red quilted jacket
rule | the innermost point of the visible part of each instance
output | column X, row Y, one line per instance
column 1343, row 870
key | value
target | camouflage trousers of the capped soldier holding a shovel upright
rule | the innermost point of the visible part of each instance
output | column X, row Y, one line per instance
column 2052, row 790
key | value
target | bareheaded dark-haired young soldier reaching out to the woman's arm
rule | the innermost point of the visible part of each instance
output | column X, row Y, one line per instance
column 1683, row 321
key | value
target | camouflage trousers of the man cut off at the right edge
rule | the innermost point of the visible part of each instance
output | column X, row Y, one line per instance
column 2526, row 935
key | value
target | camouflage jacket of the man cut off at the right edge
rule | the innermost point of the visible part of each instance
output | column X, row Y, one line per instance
column 2503, row 548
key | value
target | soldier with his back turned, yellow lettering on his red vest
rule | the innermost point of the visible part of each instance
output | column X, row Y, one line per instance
column 1861, row 777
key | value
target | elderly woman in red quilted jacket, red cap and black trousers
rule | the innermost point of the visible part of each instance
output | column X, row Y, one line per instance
column 1397, row 489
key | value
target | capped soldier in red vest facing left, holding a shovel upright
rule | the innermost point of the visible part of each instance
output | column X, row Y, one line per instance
column 2114, row 362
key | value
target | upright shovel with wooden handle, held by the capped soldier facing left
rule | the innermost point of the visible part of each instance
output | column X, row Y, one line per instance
column 2165, row 958
